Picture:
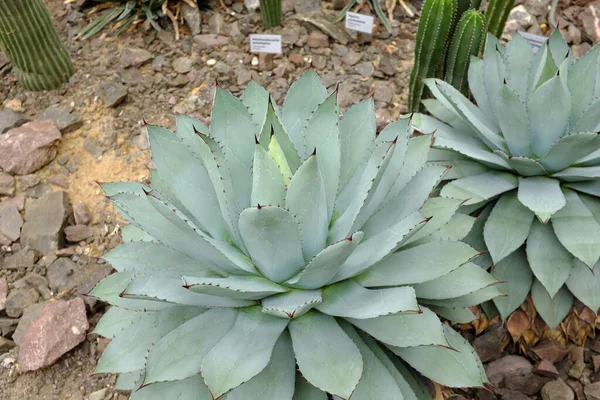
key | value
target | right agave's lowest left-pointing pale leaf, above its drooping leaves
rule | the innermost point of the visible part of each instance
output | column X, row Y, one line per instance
column 480, row 188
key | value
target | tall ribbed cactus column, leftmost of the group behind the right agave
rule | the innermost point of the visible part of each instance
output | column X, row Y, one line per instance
column 437, row 19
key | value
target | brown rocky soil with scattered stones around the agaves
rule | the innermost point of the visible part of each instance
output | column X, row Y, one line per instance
column 55, row 146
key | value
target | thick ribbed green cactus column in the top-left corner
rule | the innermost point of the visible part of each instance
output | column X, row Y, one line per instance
column 32, row 45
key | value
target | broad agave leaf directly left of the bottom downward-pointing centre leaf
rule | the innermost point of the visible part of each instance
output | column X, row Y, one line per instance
column 243, row 352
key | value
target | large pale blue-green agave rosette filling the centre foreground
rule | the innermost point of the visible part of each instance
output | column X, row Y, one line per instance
column 284, row 240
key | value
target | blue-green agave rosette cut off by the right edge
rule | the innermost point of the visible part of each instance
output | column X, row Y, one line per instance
column 530, row 148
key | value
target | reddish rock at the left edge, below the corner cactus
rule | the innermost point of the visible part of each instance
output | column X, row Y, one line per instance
column 26, row 149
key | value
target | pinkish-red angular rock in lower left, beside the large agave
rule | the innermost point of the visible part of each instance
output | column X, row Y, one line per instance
column 60, row 326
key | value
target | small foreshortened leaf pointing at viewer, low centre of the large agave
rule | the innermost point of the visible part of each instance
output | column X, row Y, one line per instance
column 291, row 304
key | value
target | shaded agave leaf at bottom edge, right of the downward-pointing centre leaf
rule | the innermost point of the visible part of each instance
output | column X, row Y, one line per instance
column 377, row 381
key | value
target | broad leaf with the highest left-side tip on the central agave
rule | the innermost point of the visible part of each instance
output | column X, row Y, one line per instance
column 186, row 176
